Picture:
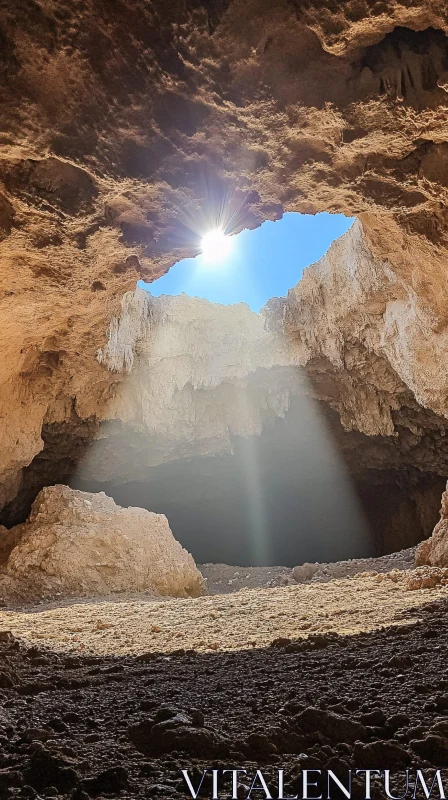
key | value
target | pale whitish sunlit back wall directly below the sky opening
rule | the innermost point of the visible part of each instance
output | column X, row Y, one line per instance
column 202, row 374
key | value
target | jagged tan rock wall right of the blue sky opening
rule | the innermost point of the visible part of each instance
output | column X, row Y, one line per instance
column 368, row 339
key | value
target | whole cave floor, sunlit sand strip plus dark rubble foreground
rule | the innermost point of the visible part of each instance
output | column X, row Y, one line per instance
column 112, row 699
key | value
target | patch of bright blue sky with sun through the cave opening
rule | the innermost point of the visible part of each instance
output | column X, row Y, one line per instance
column 261, row 264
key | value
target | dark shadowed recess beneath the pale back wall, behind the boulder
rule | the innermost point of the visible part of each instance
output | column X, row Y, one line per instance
column 288, row 496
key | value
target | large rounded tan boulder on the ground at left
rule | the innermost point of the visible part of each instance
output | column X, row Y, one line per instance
column 78, row 542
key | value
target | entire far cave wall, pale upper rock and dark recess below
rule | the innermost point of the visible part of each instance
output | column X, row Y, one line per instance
column 241, row 402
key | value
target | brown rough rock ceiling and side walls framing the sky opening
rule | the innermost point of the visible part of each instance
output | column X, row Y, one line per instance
column 129, row 130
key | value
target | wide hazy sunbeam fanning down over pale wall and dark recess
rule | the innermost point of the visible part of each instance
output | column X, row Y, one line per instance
column 215, row 426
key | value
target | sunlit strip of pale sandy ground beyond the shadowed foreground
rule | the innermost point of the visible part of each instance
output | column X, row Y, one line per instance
column 244, row 619
